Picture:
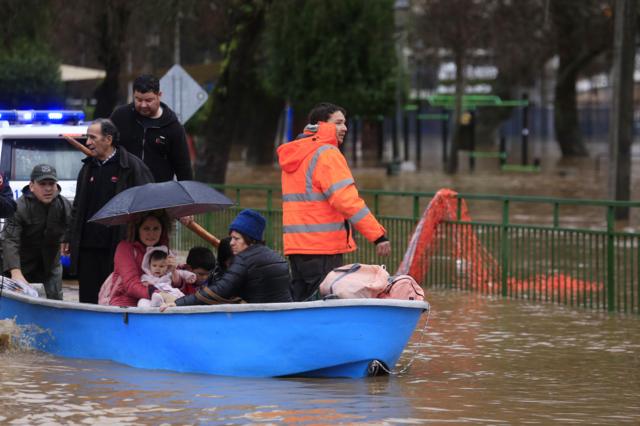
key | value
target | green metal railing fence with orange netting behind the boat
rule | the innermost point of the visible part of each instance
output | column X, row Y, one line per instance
column 564, row 251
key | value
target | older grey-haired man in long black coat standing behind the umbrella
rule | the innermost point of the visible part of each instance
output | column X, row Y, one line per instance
column 110, row 170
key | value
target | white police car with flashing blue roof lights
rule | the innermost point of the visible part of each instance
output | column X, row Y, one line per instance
column 30, row 137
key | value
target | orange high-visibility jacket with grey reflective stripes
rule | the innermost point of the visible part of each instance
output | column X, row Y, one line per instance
column 320, row 201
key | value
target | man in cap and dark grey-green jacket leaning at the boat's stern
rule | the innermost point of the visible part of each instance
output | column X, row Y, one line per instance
column 31, row 238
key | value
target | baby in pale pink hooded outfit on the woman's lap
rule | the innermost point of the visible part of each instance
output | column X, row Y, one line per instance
column 155, row 265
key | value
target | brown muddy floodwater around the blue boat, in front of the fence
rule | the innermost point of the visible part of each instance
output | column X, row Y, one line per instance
column 479, row 361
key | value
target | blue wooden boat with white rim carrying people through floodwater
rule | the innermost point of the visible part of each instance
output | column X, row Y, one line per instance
column 332, row 338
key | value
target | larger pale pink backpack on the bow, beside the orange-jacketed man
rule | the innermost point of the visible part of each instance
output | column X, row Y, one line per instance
column 355, row 281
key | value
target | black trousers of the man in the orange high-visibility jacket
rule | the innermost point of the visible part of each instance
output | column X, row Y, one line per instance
column 308, row 271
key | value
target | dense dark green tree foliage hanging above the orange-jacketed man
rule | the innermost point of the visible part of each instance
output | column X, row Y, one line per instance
column 337, row 51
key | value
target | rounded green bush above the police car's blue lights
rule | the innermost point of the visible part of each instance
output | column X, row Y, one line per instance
column 29, row 77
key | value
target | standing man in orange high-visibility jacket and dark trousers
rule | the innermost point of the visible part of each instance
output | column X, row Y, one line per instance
column 320, row 202
